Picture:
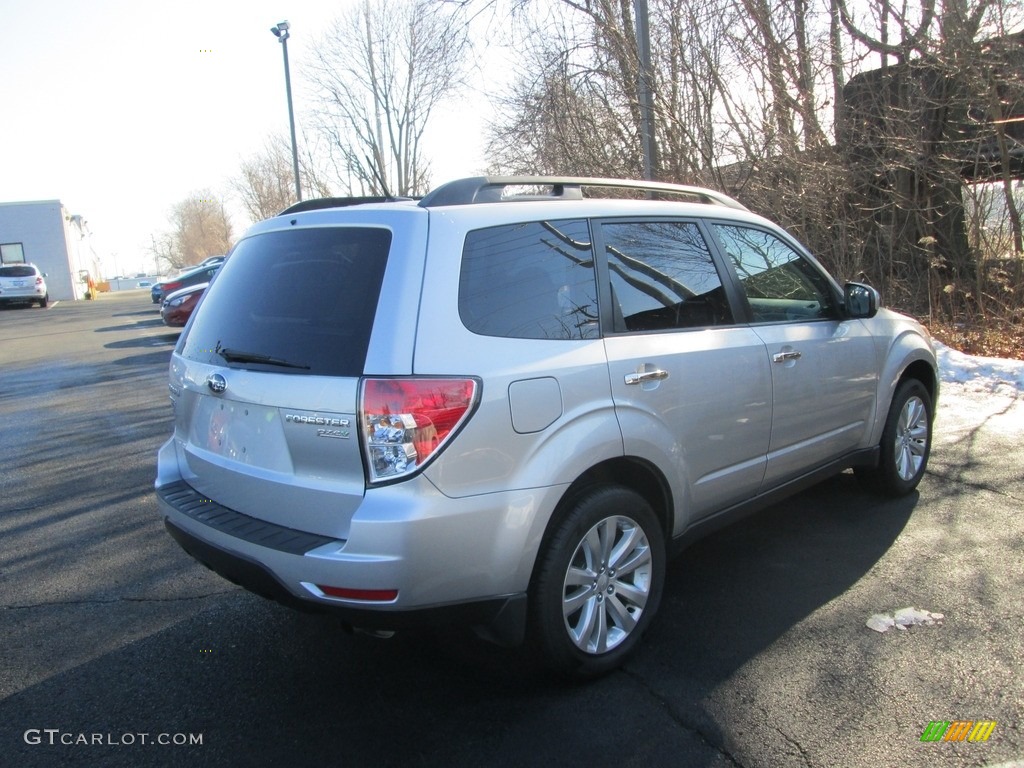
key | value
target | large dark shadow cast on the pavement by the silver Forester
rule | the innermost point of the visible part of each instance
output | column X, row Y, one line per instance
column 284, row 689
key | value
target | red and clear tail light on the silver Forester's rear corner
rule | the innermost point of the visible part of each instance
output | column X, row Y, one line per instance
column 408, row 421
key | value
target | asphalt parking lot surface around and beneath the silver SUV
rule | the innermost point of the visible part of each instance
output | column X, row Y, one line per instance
column 119, row 650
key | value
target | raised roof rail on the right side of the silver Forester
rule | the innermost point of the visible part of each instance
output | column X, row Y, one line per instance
column 492, row 189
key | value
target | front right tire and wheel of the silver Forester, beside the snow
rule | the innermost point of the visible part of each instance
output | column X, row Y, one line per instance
column 907, row 443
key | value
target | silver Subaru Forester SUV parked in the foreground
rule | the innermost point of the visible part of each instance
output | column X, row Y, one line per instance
column 506, row 410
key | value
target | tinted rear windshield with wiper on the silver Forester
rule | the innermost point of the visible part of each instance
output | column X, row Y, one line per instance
column 301, row 302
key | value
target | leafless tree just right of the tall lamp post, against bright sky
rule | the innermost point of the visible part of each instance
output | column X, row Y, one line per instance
column 380, row 73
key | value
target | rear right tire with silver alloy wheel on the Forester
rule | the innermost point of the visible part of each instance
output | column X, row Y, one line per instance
column 598, row 584
